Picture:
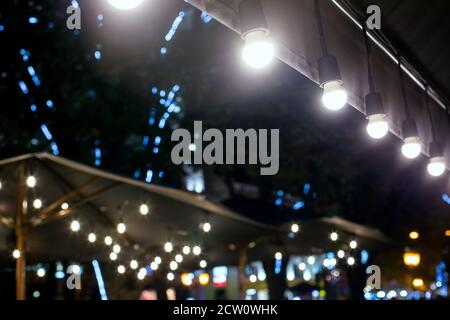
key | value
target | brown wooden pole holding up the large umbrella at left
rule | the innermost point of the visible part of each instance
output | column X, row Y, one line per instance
column 20, row 236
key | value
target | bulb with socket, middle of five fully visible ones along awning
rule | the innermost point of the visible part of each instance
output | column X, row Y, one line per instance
column 377, row 126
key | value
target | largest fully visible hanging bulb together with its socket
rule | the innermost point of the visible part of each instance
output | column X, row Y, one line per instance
column 258, row 50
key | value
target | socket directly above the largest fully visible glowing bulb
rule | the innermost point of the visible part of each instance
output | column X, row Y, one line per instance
column 251, row 16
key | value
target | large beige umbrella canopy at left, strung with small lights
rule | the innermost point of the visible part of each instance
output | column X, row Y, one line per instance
column 100, row 200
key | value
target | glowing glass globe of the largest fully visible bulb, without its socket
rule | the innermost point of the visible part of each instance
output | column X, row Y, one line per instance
column 258, row 50
